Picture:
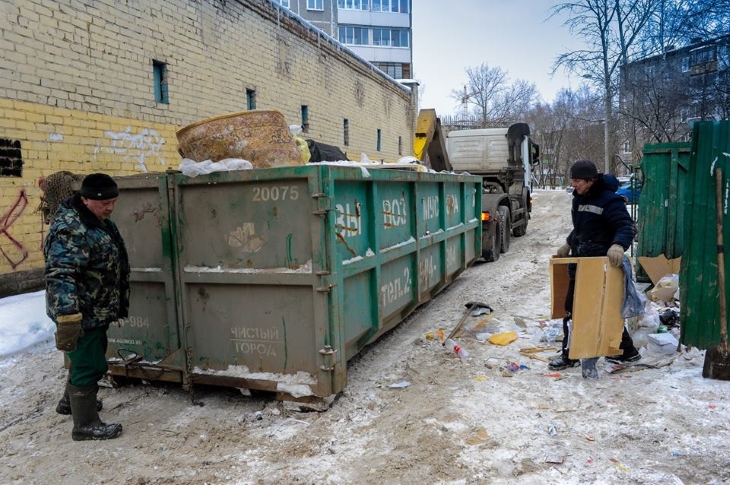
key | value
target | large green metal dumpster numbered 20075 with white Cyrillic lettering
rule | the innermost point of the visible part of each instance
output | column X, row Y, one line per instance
column 272, row 279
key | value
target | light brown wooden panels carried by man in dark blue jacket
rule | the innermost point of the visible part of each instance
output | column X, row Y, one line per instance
column 599, row 289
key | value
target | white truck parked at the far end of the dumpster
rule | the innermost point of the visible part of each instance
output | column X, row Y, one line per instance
column 504, row 158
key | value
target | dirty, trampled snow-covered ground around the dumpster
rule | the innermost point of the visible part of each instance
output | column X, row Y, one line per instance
column 457, row 422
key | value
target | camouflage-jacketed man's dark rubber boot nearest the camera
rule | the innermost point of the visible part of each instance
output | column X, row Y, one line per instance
column 87, row 425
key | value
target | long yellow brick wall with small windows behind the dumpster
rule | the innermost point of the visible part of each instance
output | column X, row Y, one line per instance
column 76, row 90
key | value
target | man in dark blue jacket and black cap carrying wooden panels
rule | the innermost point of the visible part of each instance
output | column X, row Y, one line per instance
column 601, row 227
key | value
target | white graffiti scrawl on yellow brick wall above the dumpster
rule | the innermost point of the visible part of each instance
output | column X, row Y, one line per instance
column 139, row 148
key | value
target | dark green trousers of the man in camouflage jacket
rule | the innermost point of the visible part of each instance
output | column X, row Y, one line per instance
column 88, row 361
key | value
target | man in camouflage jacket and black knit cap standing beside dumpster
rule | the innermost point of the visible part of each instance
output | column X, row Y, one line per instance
column 87, row 289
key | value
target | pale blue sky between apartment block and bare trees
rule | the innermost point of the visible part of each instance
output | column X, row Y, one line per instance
column 515, row 35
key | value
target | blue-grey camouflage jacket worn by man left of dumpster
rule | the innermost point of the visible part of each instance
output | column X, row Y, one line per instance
column 87, row 267
